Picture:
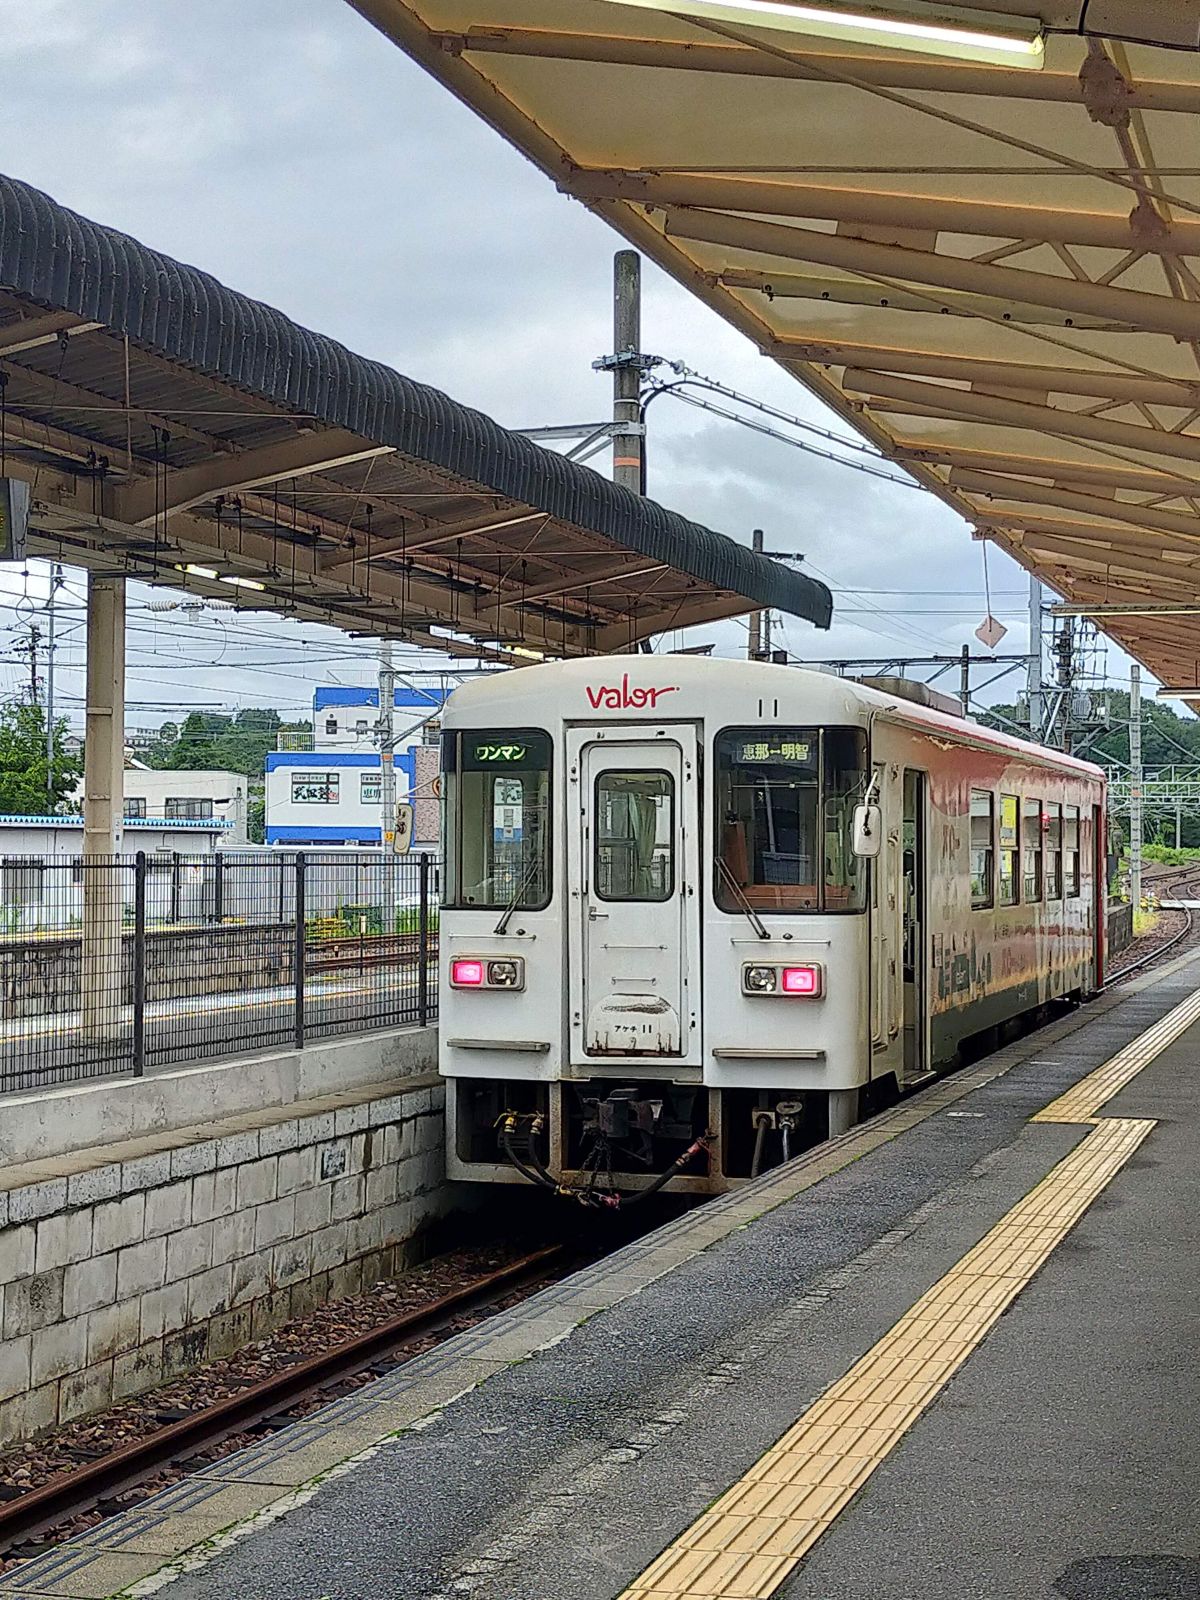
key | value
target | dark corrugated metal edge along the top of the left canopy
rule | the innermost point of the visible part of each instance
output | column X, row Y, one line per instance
column 63, row 262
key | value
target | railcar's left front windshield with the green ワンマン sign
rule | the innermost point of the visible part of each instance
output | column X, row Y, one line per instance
column 497, row 798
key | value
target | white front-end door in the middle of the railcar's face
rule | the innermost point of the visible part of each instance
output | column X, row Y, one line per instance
column 633, row 878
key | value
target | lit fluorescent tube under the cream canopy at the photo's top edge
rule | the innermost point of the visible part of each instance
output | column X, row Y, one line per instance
column 1018, row 46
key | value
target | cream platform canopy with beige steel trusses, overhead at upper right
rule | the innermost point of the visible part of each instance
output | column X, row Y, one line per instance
column 983, row 249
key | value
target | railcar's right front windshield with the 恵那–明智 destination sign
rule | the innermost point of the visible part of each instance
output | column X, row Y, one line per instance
column 785, row 807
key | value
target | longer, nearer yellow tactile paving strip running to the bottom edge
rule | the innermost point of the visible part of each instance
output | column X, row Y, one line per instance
column 758, row 1532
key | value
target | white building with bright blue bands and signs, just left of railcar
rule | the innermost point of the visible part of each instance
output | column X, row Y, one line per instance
column 332, row 796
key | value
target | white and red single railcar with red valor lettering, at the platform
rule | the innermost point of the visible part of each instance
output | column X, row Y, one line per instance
column 721, row 908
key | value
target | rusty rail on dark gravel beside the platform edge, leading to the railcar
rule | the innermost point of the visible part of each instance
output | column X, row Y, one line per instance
column 108, row 1481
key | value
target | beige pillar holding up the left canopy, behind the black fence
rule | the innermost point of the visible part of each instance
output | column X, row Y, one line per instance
column 105, row 882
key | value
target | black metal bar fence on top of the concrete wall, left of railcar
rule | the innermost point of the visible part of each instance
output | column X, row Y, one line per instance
column 130, row 964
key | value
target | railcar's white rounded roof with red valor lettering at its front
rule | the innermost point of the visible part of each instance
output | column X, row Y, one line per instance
column 828, row 697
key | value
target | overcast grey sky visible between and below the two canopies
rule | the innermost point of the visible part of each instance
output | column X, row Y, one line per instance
column 300, row 158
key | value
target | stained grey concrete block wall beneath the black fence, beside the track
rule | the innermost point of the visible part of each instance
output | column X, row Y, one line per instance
column 121, row 1274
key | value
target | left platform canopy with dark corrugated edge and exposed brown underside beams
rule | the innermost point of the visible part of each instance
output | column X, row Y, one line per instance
column 177, row 431
